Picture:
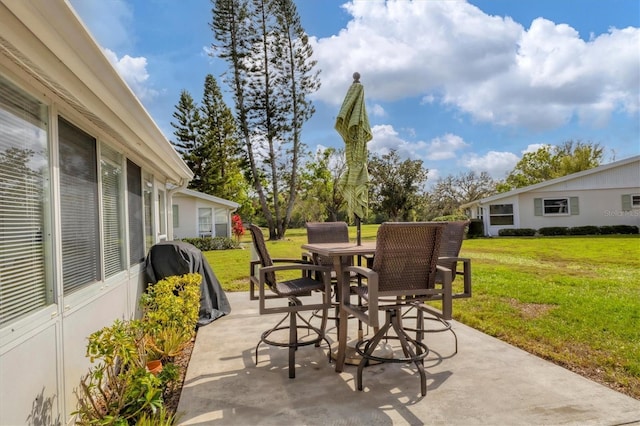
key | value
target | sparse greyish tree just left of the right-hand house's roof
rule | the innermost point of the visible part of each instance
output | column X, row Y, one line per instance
column 450, row 192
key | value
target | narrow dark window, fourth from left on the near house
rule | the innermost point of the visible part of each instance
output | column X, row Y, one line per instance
column 134, row 201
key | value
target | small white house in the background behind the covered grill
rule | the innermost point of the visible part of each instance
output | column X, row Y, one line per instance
column 196, row 214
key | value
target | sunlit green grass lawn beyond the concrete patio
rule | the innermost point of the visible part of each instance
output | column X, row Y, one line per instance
column 572, row 300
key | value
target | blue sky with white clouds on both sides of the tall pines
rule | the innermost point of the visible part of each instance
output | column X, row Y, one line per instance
column 459, row 85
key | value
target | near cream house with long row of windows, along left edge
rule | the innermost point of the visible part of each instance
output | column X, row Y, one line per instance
column 86, row 181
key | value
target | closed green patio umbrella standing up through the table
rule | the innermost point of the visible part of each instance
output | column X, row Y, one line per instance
column 353, row 125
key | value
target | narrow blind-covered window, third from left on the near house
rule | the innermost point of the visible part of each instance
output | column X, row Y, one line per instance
column 112, row 210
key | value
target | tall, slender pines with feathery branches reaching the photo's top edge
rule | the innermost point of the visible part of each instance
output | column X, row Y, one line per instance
column 271, row 74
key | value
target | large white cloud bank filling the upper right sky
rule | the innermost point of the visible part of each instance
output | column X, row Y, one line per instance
column 489, row 67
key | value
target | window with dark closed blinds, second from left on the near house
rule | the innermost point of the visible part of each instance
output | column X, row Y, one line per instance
column 78, row 207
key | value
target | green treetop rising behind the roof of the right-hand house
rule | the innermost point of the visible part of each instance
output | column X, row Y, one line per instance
column 550, row 162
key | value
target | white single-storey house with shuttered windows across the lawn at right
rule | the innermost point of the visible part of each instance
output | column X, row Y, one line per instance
column 605, row 195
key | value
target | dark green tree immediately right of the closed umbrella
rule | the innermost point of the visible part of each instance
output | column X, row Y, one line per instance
column 397, row 186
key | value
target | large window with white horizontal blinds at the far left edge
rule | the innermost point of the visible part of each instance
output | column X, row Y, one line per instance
column 25, row 225
